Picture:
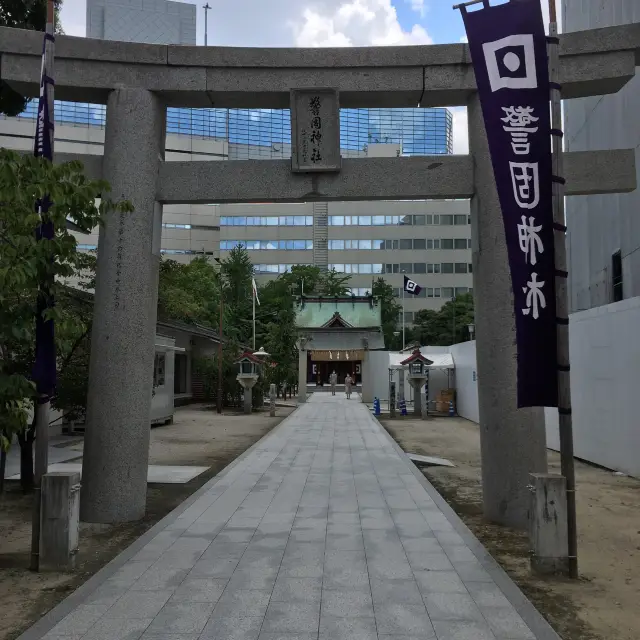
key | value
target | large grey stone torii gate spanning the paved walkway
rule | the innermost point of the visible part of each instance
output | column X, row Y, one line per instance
column 138, row 81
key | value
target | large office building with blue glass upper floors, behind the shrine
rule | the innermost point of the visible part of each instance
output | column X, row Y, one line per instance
column 428, row 241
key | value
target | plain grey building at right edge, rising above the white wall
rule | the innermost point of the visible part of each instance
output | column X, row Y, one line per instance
column 603, row 238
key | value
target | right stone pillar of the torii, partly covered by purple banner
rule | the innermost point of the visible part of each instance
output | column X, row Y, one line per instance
column 512, row 440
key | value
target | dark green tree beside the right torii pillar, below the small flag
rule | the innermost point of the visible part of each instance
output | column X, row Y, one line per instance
column 447, row 326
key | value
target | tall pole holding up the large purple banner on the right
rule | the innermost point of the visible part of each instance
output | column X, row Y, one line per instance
column 562, row 310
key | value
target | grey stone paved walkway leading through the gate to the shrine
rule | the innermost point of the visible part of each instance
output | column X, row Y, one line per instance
column 324, row 530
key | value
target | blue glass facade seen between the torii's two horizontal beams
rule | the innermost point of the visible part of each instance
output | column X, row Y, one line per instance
column 267, row 132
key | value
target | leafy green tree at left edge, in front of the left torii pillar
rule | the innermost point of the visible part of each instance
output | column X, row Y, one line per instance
column 25, row 263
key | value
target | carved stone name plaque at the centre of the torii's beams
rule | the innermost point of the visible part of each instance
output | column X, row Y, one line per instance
column 315, row 130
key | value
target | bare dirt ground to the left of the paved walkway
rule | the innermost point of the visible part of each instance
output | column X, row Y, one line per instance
column 197, row 437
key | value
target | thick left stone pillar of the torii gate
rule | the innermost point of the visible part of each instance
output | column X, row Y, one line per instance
column 116, row 445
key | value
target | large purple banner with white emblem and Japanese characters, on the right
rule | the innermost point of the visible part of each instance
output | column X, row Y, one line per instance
column 509, row 55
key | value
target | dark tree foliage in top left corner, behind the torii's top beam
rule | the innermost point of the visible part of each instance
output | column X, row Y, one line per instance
column 22, row 14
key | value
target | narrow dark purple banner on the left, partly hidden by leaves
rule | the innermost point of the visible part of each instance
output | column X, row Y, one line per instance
column 44, row 368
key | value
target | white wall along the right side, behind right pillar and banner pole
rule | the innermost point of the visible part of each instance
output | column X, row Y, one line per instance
column 605, row 375
